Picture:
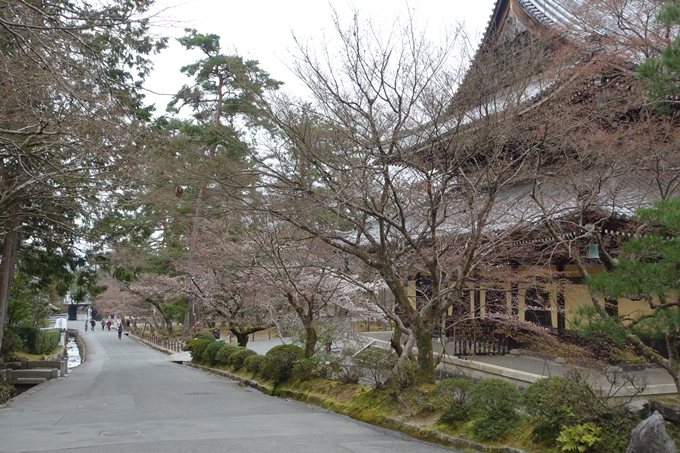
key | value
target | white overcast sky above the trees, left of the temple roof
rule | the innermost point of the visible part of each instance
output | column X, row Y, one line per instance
column 262, row 30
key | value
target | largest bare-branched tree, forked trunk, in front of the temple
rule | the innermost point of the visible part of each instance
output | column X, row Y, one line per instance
column 392, row 167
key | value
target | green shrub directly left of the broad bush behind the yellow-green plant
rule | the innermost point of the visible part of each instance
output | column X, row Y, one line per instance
column 496, row 399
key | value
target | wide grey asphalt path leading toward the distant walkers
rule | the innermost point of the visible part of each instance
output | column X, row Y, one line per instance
column 128, row 397
